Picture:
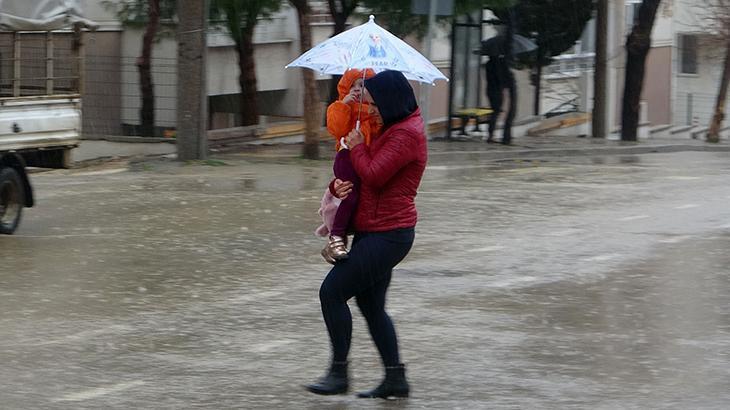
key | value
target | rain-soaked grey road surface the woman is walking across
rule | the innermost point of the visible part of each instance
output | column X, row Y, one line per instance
column 587, row 281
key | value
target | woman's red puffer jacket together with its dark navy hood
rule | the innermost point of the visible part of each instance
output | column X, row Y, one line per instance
column 391, row 167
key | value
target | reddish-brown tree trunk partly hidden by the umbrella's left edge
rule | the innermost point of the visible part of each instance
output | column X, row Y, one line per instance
column 312, row 116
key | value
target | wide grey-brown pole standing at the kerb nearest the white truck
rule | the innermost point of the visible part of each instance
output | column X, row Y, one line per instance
column 192, row 95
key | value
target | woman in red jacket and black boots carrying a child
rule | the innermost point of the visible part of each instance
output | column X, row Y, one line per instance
column 390, row 170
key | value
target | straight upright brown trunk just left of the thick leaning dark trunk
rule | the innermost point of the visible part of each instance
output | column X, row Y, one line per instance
column 600, row 83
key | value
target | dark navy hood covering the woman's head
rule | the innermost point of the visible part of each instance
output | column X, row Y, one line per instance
column 393, row 95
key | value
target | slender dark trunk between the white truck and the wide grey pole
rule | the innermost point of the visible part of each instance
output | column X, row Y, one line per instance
column 144, row 65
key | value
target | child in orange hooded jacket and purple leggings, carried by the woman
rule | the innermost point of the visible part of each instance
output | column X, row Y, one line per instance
column 342, row 117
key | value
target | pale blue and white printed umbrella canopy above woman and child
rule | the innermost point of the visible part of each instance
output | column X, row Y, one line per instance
column 368, row 46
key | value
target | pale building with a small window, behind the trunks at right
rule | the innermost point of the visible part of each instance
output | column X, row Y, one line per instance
column 683, row 68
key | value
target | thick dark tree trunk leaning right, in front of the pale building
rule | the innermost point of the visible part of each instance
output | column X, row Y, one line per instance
column 638, row 45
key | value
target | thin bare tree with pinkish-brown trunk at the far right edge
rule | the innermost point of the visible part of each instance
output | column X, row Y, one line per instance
column 718, row 16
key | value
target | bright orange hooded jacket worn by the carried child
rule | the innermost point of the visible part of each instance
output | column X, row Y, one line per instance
column 342, row 118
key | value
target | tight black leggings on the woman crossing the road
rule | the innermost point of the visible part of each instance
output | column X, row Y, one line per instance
column 365, row 275
